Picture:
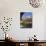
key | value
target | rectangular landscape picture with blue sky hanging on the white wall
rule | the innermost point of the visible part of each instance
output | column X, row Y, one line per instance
column 25, row 19
